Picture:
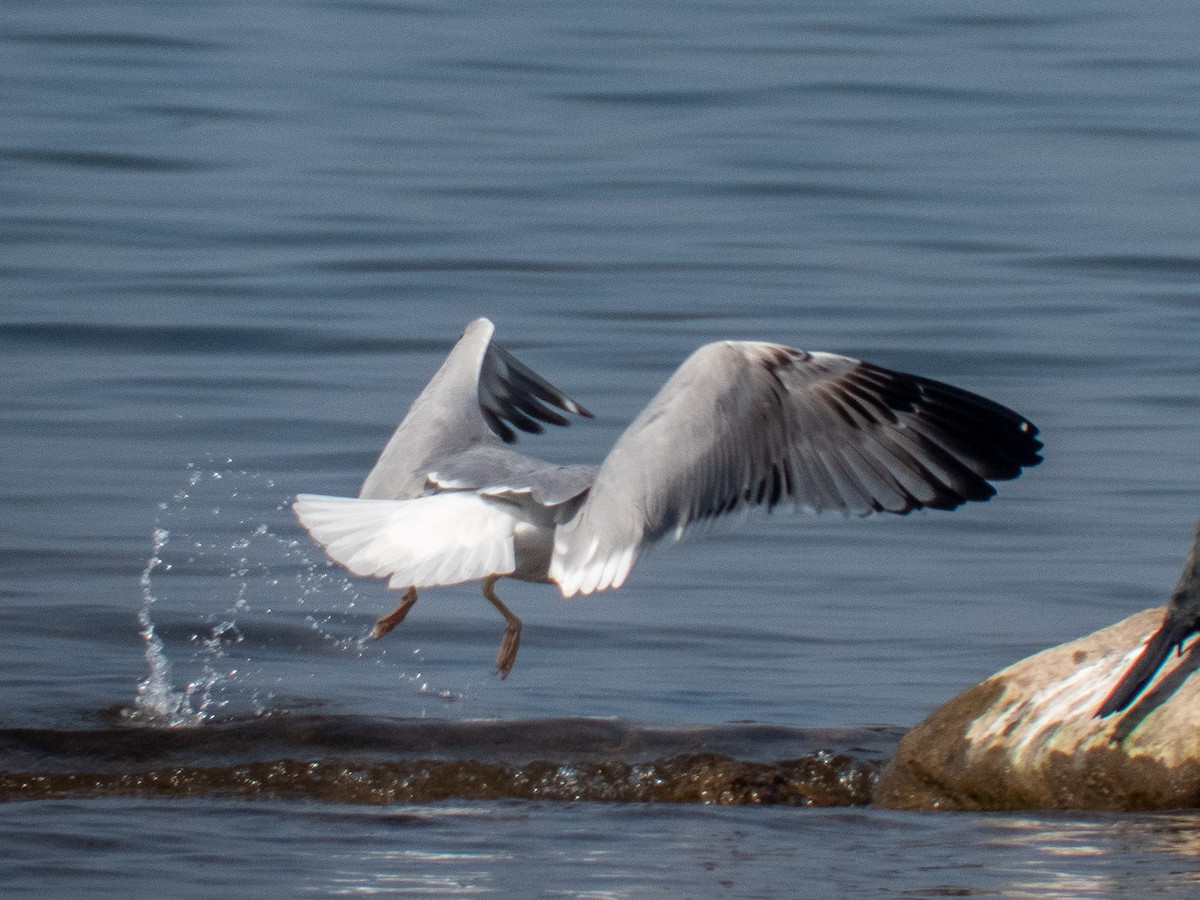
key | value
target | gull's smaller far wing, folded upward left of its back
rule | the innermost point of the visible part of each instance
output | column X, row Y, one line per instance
column 482, row 393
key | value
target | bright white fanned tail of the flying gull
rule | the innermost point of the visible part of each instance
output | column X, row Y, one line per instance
column 442, row 539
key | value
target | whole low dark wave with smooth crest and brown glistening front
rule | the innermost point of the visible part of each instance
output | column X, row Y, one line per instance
column 350, row 759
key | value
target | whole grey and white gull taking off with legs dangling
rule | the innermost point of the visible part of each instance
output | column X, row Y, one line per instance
column 740, row 425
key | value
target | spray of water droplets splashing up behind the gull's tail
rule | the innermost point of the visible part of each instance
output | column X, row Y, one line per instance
column 247, row 589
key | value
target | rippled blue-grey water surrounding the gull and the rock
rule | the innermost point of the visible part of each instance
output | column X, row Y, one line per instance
column 236, row 239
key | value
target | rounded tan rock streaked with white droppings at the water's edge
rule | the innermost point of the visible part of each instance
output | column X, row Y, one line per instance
column 1029, row 736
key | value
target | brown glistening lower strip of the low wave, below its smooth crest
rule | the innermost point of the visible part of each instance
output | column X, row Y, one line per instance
column 817, row 781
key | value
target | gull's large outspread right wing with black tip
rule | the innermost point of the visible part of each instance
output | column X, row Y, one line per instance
column 745, row 424
